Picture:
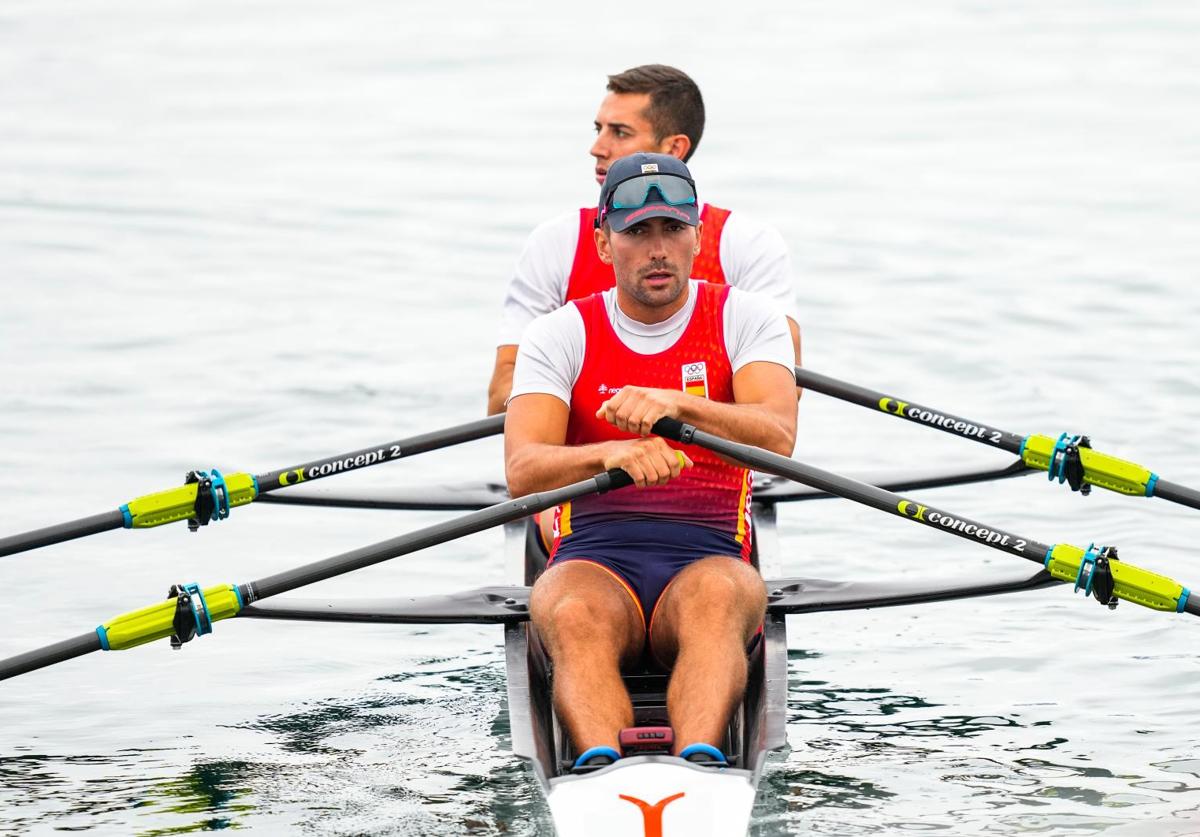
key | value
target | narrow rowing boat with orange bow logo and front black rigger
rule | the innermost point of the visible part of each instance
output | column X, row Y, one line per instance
column 652, row 796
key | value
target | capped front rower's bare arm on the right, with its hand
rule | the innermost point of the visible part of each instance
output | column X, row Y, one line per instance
column 764, row 413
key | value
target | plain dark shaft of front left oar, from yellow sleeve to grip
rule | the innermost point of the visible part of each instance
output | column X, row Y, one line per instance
column 423, row 539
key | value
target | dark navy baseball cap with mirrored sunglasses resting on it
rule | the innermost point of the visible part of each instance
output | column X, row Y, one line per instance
column 647, row 186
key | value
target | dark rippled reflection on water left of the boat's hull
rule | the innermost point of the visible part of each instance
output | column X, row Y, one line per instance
column 425, row 752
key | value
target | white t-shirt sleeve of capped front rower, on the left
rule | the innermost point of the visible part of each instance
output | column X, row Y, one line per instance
column 551, row 356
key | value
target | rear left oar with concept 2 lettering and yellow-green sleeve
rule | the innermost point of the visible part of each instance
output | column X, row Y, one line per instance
column 185, row 503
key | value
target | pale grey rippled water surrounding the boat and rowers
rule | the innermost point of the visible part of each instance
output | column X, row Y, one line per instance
column 249, row 234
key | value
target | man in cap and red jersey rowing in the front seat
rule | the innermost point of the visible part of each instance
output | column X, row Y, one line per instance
column 662, row 570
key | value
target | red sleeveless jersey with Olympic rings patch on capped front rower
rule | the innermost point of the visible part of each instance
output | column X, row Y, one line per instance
column 712, row 493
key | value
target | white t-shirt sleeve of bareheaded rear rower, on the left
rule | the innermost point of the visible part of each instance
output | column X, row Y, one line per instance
column 539, row 280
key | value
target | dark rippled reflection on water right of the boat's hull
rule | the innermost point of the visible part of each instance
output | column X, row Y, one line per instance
column 862, row 758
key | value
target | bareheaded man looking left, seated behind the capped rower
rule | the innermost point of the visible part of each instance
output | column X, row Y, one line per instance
column 650, row 109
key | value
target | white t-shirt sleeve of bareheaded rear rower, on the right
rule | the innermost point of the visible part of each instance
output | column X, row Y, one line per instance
column 755, row 258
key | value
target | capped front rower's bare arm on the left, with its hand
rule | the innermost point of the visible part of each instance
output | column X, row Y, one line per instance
column 536, row 457
